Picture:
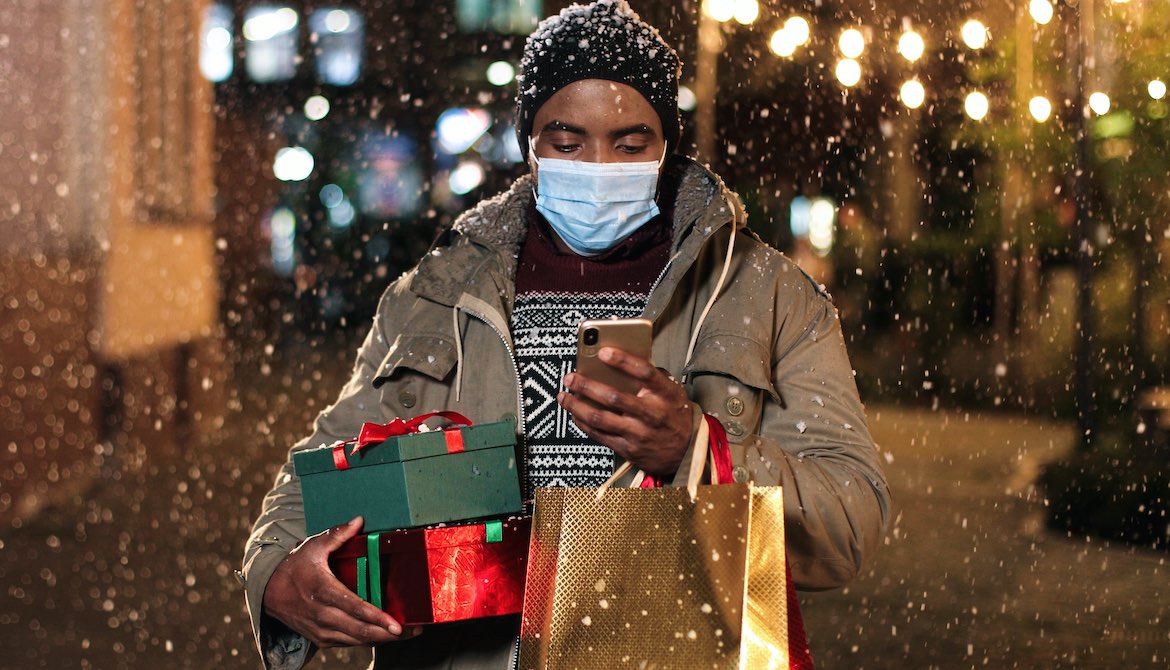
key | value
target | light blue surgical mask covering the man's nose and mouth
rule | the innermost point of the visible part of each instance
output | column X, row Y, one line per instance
column 593, row 206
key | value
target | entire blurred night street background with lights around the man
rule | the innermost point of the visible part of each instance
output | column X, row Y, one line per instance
column 203, row 201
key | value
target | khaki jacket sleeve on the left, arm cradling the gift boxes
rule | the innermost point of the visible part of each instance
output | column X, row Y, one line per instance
column 280, row 527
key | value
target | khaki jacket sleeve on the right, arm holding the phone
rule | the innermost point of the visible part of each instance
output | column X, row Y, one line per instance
column 814, row 441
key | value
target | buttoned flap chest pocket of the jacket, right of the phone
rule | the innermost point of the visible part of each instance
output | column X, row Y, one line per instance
column 731, row 378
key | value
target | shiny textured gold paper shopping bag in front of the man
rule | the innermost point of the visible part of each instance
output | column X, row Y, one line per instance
column 658, row 579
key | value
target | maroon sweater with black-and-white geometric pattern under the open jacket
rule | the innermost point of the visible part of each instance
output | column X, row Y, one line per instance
column 555, row 292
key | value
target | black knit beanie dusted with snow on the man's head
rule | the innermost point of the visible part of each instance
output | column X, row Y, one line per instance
column 603, row 40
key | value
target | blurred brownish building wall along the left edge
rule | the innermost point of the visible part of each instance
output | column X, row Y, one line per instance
column 106, row 210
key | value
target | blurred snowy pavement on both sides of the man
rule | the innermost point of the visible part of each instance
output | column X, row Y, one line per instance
column 141, row 574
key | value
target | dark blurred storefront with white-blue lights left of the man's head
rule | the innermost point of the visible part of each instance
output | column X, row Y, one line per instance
column 349, row 136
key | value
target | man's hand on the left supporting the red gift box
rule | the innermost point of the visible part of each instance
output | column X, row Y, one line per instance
column 306, row 597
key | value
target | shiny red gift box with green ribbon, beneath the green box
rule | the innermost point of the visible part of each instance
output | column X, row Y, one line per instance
column 439, row 575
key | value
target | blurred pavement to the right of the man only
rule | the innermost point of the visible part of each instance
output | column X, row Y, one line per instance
column 971, row 578
